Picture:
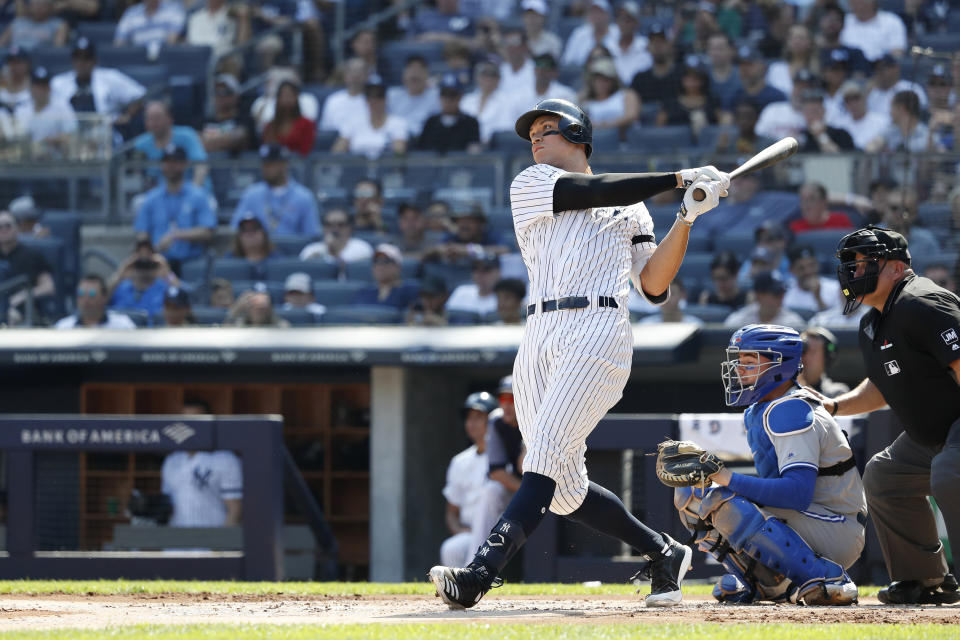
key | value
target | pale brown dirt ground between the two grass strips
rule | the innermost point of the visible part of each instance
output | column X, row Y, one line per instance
column 60, row 611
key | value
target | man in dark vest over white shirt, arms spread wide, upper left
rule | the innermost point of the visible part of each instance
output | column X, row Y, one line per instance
column 92, row 89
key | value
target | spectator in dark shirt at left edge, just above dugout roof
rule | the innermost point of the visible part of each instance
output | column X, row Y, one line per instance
column 18, row 259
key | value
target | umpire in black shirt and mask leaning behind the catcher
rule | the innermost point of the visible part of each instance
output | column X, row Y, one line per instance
column 910, row 341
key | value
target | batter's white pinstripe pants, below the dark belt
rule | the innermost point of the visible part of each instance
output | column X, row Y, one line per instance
column 570, row 370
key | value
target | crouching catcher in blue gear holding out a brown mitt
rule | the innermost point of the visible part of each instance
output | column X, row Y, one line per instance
column 789, row 534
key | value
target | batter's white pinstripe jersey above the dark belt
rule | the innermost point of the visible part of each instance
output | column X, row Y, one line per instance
column 576, row 253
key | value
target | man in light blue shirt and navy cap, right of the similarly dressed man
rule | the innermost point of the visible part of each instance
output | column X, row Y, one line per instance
column 284, row 206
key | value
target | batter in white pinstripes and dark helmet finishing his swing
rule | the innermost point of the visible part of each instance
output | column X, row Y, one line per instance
column 584, row 238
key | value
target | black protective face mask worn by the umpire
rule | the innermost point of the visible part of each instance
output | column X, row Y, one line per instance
column 862, row 255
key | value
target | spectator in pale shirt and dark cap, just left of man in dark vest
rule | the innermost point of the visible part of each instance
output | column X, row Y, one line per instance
column 48, row 123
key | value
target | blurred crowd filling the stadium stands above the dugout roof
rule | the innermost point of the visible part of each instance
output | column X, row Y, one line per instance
column 446, row 80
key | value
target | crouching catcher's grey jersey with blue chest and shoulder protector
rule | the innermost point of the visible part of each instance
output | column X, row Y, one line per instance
column 795, row 431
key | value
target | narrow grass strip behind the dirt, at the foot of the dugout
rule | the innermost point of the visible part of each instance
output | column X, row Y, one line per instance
column 126, row 587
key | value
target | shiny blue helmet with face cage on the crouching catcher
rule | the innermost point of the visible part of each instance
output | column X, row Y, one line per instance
column 782, row 346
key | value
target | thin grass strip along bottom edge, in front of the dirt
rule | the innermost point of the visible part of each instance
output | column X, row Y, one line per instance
column 456, row 631
